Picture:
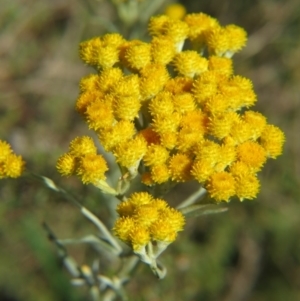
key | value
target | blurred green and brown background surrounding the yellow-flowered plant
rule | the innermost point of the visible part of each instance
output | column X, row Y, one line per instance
column 252, row 252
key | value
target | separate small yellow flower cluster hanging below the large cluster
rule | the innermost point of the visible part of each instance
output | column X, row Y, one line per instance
column 144, row 219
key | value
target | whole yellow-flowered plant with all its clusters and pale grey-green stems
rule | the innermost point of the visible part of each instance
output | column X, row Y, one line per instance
column 170, row 111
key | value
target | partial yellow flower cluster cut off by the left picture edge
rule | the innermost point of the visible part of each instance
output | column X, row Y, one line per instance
column 11, row 165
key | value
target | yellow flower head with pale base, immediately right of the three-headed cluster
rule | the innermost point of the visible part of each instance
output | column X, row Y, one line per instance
column 129, row 153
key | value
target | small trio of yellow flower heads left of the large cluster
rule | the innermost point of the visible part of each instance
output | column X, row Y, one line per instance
column 82, row 159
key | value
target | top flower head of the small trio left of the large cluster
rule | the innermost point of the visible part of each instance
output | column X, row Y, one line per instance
column 81, row 146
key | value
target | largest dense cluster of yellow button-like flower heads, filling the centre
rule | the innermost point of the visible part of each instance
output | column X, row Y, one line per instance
column 181, row 114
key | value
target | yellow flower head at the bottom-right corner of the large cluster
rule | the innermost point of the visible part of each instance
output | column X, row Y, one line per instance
column 247, row 186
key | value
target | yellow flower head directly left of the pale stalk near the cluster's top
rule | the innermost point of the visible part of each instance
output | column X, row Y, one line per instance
column 162, row 50
